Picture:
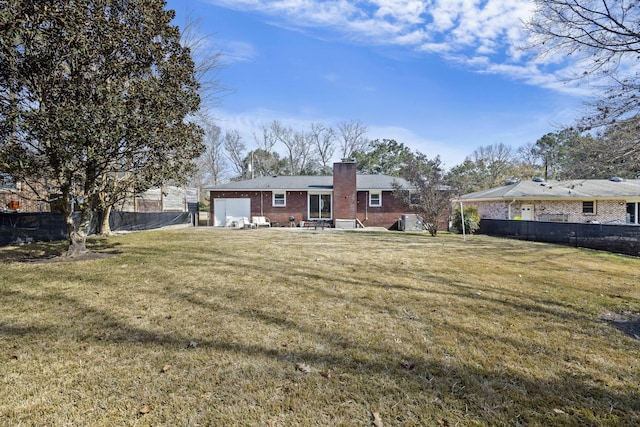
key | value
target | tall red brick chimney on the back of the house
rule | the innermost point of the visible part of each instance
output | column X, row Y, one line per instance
column 345, row 201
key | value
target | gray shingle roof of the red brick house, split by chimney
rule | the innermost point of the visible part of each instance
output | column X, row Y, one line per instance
column 308, row 183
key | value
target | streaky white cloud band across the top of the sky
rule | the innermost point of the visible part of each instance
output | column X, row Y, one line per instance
column 484, row 35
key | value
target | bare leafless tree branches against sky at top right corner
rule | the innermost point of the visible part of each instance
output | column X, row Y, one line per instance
column 603, row 36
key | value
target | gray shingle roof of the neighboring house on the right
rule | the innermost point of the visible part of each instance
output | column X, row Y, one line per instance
column 570, row 189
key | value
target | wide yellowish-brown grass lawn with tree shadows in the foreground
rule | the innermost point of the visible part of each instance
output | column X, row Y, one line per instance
column 277, row 328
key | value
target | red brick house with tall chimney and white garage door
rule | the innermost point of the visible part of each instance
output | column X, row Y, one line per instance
column 340, row 199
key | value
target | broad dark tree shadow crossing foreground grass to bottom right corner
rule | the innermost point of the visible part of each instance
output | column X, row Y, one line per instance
column 486, row 395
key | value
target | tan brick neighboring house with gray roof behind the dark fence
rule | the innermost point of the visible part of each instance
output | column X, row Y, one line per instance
column 613, row 201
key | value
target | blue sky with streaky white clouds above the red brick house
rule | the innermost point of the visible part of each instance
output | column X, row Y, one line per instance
column 444, row 77
